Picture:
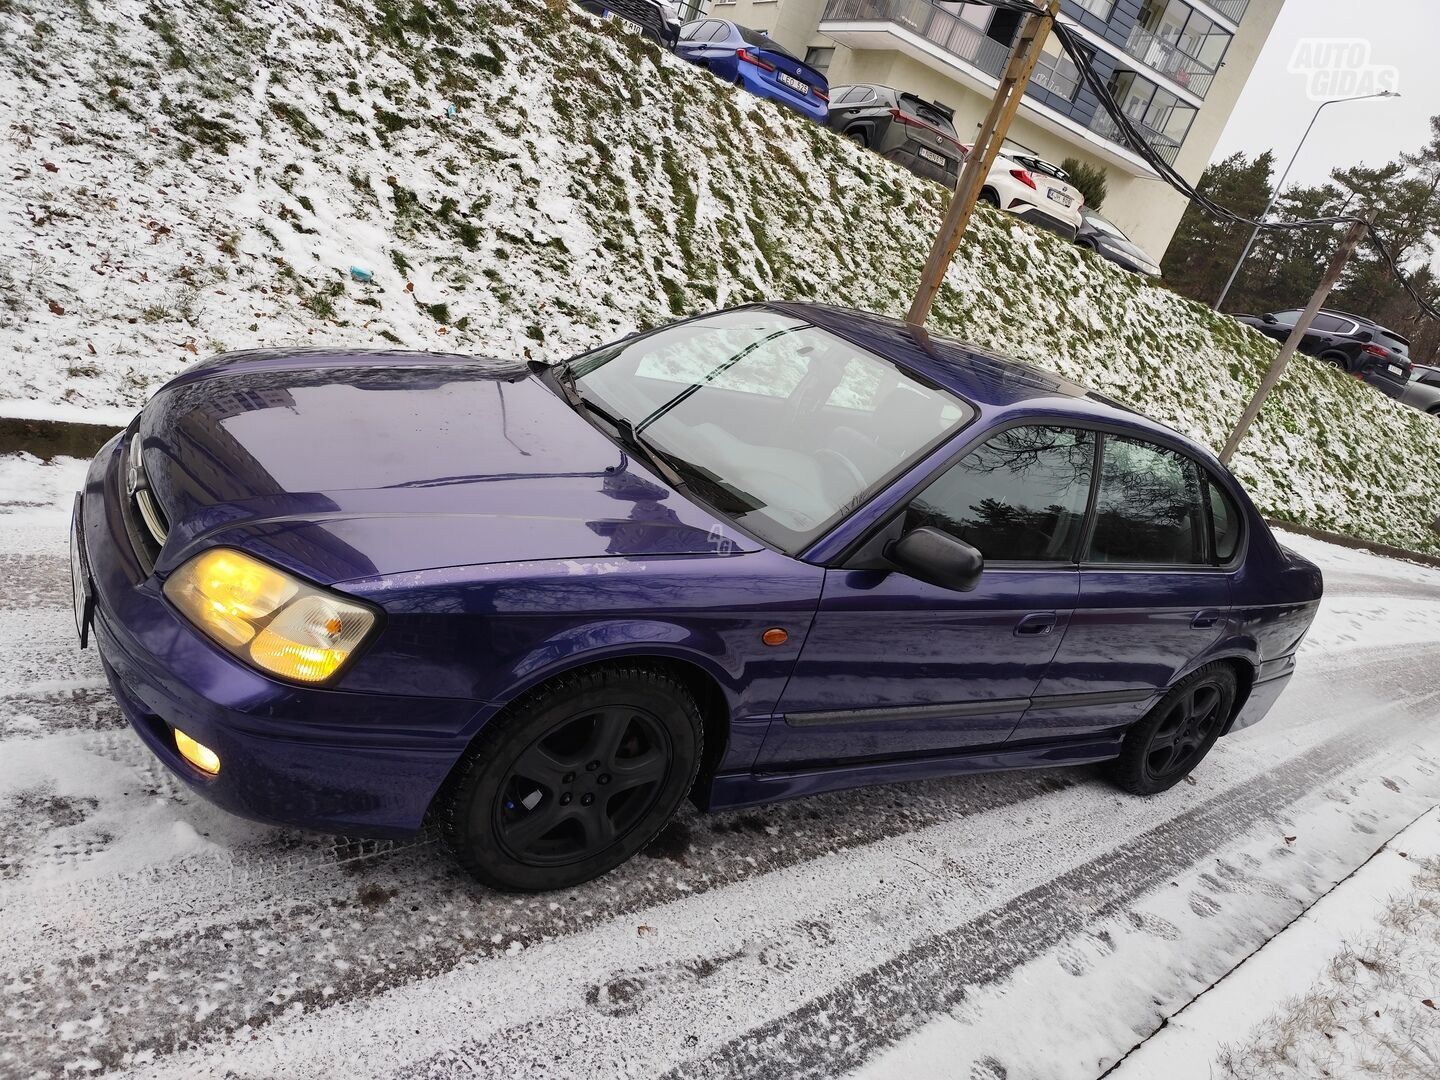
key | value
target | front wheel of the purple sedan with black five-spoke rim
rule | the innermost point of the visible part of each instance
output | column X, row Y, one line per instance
column 574, row 780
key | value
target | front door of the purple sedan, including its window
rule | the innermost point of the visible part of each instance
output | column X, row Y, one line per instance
column 895, row 667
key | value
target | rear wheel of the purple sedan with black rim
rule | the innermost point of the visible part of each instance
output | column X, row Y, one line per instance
column 1177, row 734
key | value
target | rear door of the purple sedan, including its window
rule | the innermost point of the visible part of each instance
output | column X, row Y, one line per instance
column 1154, row 594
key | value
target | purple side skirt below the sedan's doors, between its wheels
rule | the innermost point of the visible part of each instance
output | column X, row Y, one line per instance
column 735, row 791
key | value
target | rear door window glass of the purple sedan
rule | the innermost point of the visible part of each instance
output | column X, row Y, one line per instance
column 1148, row 510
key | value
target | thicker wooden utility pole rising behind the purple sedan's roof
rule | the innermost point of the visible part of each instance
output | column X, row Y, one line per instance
column 1023, row 60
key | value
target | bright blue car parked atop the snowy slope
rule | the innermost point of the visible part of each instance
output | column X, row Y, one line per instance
column 751, row 60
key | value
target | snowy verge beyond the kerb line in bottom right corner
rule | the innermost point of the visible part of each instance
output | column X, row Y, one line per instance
column 1367, row 957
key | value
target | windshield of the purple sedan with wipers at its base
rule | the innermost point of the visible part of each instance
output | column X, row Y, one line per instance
column 771, row 421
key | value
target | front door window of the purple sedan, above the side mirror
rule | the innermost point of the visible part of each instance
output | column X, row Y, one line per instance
column 1020, row 498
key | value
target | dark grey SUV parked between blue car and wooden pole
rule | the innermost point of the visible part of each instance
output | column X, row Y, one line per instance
column 904, row 127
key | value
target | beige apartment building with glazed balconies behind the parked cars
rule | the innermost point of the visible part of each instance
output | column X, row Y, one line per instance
column 1176, row 67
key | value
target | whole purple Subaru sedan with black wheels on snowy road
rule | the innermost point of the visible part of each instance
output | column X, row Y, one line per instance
column 761, row 554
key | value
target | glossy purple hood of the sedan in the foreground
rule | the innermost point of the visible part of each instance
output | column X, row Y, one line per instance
column 342, row 466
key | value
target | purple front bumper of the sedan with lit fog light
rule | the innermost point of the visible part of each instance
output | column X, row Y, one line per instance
column 323, row 760
